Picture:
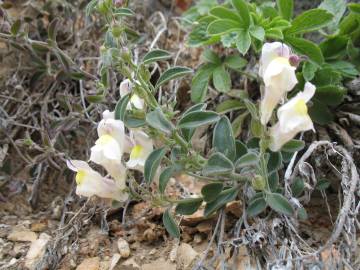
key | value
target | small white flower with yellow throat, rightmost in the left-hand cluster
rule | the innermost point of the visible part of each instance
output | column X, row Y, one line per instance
column 142, row 147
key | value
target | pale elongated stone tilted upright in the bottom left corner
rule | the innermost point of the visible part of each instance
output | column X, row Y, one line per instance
column 36, row 251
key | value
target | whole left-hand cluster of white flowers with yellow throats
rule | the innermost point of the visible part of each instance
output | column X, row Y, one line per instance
column 109, row 149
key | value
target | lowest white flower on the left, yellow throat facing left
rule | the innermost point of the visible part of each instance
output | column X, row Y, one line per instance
column 90, row 182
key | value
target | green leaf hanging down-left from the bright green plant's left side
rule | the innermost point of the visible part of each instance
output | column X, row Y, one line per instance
column 200, row 83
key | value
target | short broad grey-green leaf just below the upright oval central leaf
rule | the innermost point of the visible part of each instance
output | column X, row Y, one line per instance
column 218, row 164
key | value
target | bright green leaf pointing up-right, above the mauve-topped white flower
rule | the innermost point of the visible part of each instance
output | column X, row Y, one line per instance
column 309, row 20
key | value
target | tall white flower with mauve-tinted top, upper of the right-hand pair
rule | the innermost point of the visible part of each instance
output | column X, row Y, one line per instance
column 278, row 75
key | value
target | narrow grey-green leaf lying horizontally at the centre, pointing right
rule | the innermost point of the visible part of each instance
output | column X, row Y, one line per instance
column 196, row 119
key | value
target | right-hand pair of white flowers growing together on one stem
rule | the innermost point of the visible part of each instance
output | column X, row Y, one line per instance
column 277, row 68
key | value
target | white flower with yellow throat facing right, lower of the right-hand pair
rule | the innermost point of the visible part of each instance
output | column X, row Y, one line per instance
column 293, row 118
